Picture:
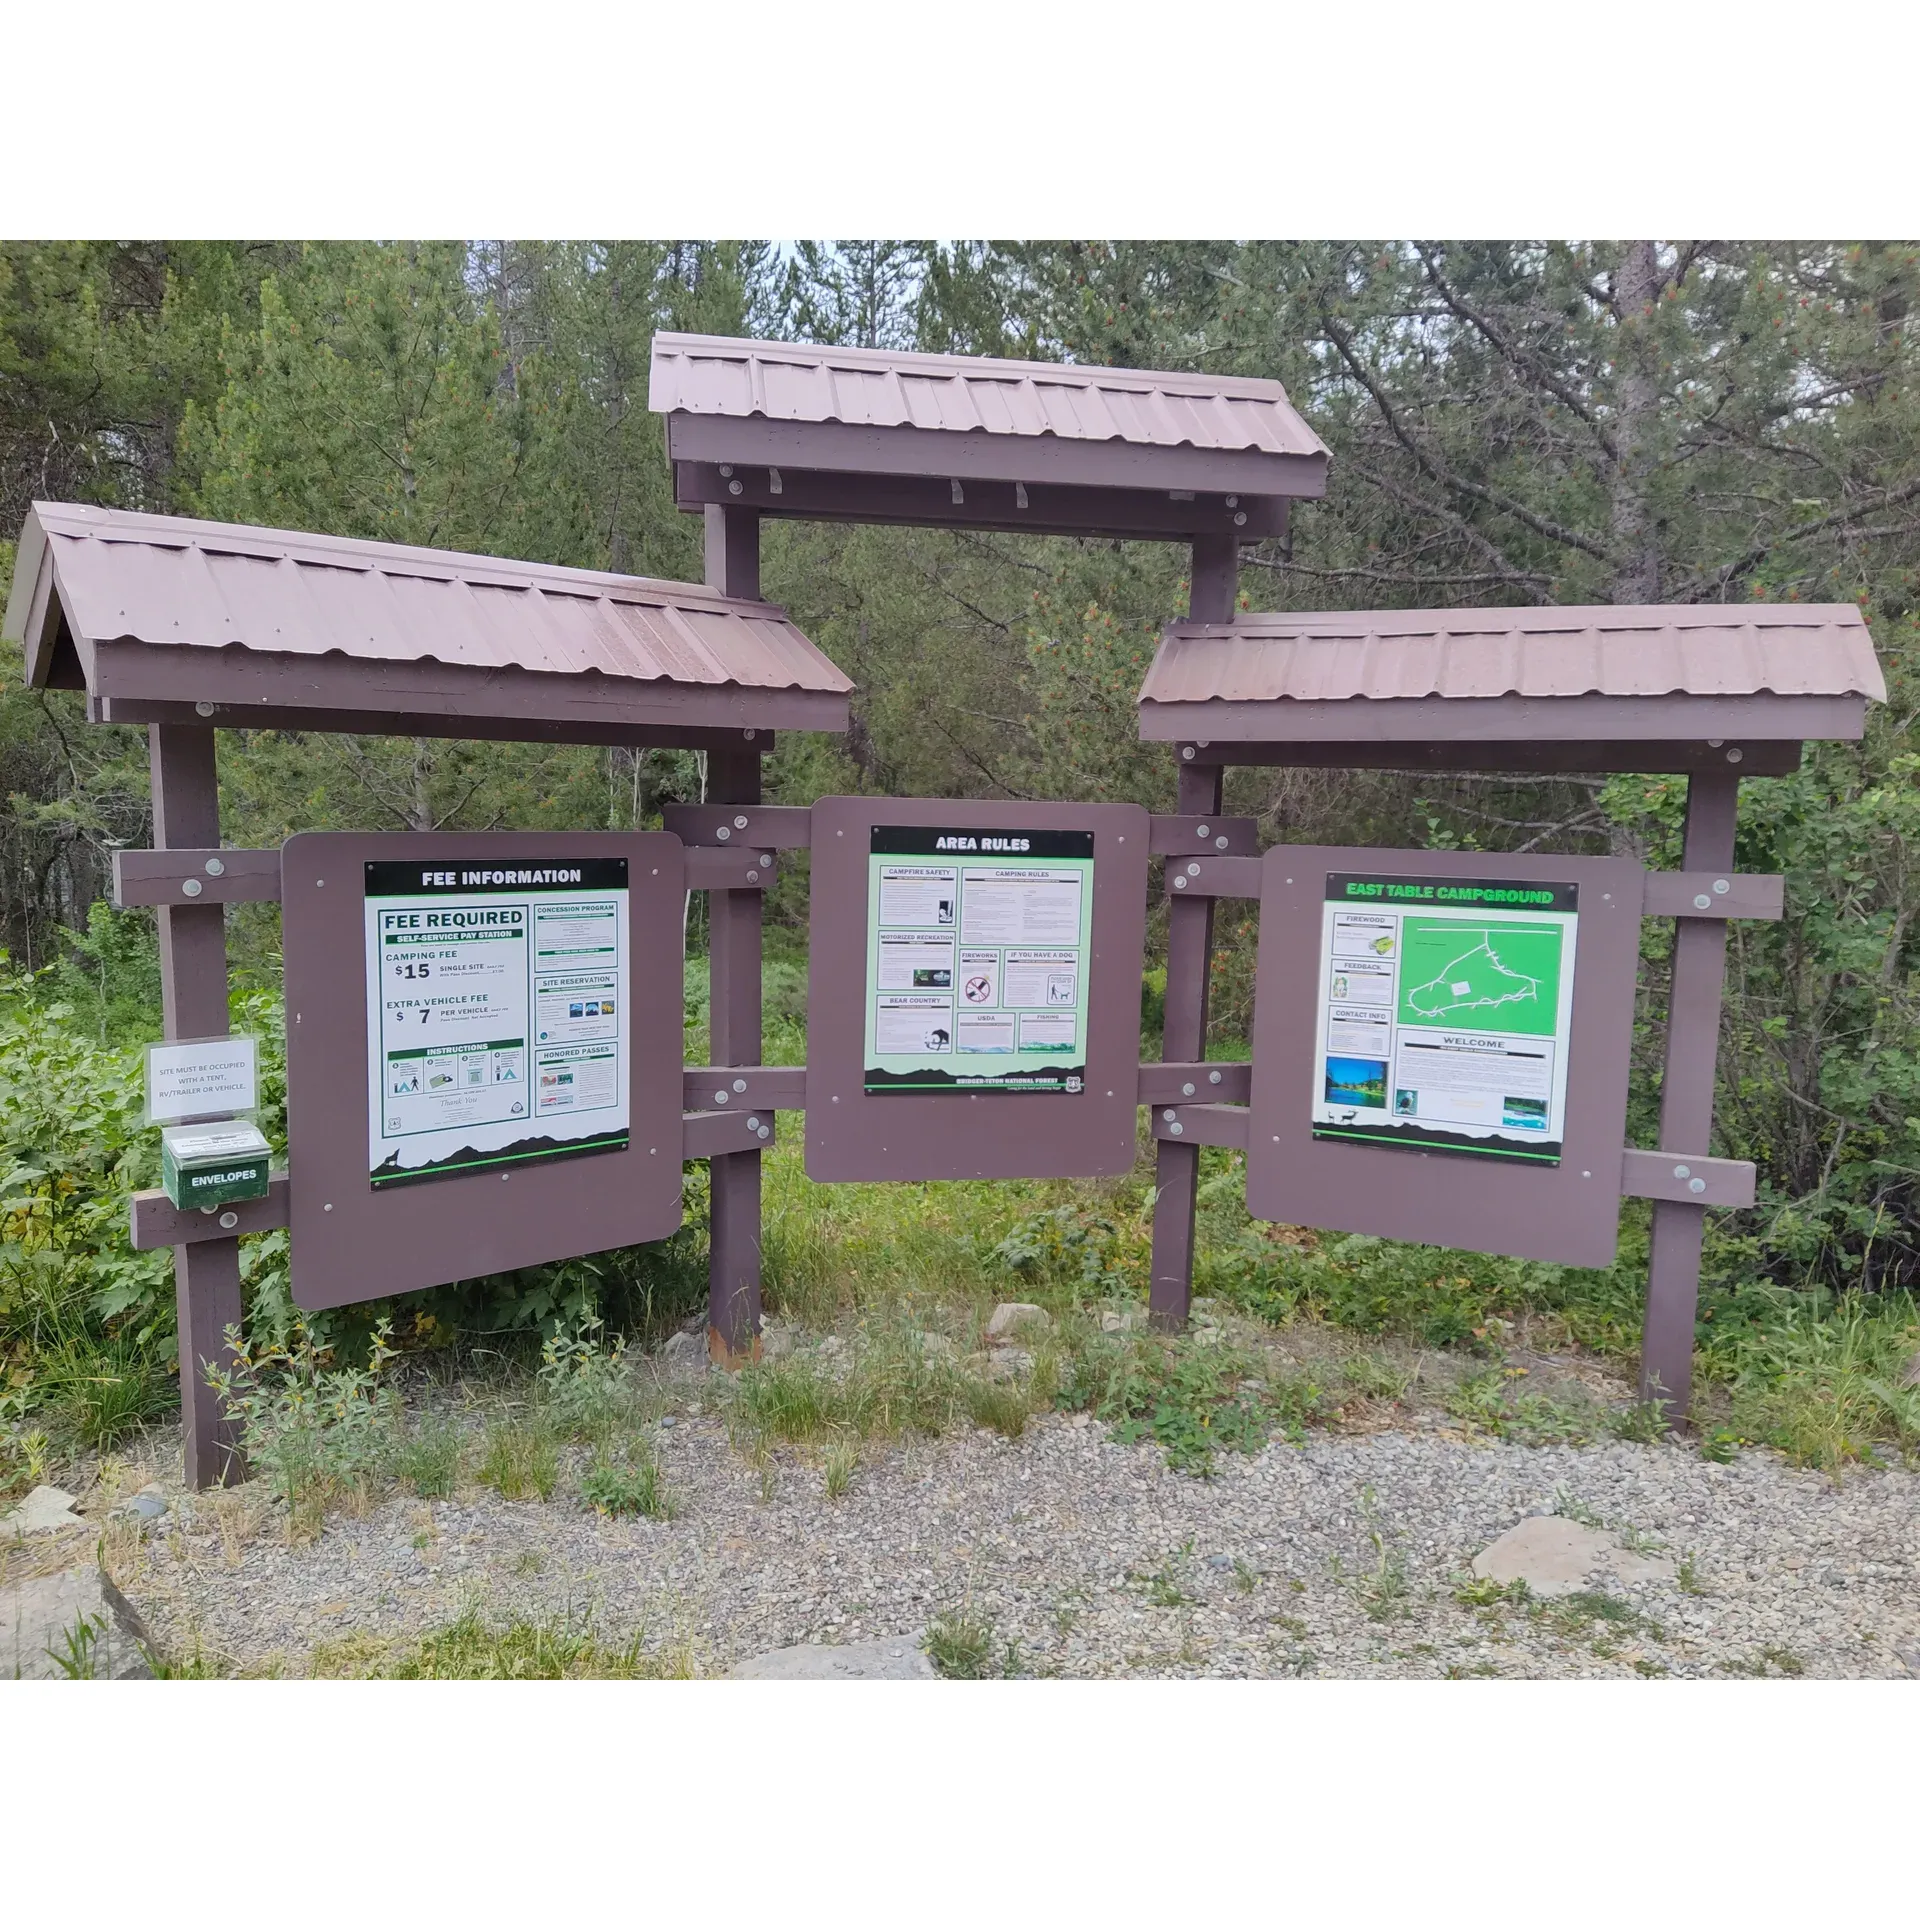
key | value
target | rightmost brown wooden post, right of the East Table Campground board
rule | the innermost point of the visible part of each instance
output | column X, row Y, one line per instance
column 1687, row 1101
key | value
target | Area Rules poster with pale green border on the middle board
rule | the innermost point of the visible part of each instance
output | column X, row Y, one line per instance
column 976, row 961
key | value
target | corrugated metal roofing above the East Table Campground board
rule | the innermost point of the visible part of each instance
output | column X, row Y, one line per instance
column 1535, row 652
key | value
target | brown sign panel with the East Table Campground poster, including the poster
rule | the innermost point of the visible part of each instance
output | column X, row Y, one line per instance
column 1441, row 1047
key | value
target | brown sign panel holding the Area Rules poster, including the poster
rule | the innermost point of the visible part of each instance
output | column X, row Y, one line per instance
column 974, row 990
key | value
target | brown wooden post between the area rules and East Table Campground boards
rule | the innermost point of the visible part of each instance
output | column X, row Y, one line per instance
column 1216, row 585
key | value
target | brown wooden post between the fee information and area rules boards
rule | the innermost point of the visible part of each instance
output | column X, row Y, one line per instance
column 734, row 996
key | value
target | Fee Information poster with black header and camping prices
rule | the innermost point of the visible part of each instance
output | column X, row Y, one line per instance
column 500, row 1017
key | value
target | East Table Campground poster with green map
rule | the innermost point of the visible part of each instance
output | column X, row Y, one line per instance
column 1445, row 1009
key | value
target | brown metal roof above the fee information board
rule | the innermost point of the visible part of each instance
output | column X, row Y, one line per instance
column 114, row 585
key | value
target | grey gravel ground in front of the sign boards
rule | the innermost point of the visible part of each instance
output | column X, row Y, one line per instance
column 1337, row 1558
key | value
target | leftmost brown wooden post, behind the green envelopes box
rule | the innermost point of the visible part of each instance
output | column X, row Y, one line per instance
column 193, row 984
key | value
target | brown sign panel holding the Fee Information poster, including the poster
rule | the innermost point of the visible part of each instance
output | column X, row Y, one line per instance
column 483, row 1053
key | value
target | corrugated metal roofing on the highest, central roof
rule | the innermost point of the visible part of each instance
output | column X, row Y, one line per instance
column 959, row 395
